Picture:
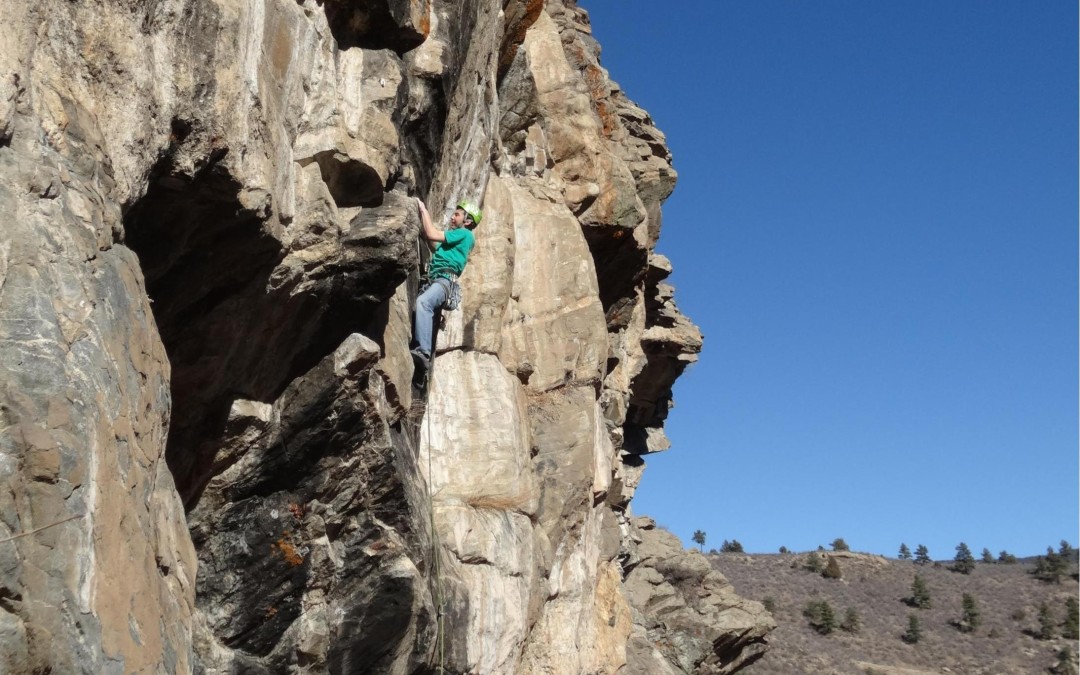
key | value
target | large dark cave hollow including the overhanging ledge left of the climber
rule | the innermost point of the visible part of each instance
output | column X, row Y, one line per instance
column 235, row 320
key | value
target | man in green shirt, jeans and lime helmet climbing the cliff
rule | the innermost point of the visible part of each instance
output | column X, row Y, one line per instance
column 448, row 263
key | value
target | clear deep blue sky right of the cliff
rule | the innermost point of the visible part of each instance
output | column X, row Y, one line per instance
column 876, row 229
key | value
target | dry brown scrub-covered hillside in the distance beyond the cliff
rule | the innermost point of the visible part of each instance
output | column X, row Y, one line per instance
column 1008, row 599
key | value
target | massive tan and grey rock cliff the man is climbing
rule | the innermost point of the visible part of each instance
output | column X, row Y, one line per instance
column 213, row 455
